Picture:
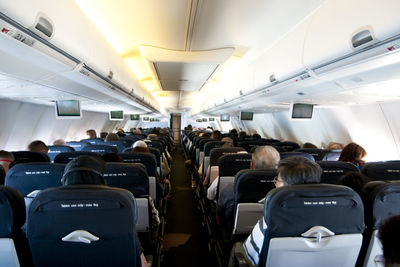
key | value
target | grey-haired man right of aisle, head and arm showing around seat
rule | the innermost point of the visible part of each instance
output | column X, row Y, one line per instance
column 263, row 157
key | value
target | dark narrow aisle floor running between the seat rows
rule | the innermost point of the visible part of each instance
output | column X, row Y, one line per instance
column 185, row 242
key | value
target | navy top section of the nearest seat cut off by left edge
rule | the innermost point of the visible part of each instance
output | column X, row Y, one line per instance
column 12, row 210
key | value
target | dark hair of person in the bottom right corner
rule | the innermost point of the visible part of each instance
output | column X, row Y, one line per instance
column 389, row 234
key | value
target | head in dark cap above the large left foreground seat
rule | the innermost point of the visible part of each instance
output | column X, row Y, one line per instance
column 84, row 170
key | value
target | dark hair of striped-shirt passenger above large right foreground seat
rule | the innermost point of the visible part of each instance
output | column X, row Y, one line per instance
column 299, row 170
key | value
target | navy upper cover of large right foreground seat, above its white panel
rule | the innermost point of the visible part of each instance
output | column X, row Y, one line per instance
column 292, row 210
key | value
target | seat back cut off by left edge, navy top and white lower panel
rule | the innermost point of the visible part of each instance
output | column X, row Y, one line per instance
column 12, row 210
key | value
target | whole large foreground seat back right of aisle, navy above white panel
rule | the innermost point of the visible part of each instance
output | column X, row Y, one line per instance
column 311, row 224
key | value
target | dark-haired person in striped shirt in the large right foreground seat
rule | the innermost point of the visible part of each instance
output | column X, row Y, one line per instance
column 292, row 171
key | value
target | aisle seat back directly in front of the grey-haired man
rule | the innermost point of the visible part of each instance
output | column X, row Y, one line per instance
column 229, row 166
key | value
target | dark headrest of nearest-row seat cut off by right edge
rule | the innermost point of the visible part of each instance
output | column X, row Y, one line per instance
column 381, row 200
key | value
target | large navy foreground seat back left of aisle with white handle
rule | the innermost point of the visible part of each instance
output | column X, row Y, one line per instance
column 86, row 225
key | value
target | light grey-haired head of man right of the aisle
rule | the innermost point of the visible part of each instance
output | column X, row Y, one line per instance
column 265, row 157
